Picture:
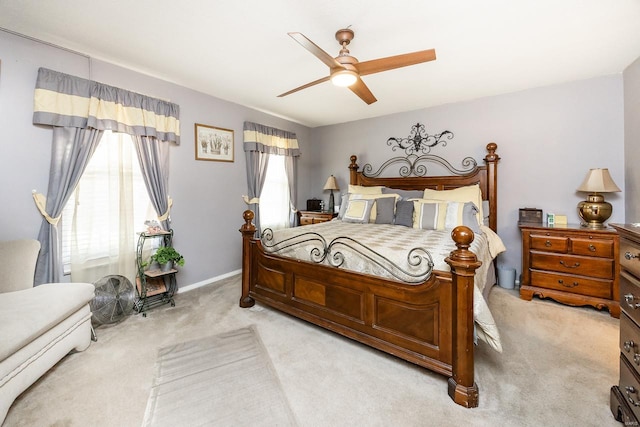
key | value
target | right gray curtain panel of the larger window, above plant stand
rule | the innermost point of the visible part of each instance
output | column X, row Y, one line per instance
column 153, row 156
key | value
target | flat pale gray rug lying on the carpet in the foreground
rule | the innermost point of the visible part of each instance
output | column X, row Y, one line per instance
column 222, row 380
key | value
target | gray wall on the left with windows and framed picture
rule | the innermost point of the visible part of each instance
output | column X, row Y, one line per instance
column 207, row 210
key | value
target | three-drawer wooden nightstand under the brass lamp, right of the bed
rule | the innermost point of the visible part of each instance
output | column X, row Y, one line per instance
column 571, row 264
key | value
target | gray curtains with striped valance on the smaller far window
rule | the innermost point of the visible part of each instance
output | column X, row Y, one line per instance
column 260, row 141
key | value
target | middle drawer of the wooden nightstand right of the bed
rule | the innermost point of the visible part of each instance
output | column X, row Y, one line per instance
column 592, row 267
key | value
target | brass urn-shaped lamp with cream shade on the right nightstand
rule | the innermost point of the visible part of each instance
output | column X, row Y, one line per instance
column 595, row 211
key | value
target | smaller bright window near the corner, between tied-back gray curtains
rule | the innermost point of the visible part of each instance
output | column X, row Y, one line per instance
column 274, row 199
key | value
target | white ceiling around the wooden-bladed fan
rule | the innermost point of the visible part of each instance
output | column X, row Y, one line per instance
column 240, row 51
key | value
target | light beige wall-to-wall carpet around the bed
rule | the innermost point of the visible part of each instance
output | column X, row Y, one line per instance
column 557, row 367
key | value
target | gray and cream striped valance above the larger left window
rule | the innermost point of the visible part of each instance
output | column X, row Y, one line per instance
column 69, row 101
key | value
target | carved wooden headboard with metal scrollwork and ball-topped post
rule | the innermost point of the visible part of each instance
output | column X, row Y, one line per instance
column 486, row 176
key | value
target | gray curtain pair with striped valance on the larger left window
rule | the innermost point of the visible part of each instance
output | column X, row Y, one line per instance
column 79, row 111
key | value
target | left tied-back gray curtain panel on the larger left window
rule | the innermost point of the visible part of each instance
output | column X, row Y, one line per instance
column 70, row 153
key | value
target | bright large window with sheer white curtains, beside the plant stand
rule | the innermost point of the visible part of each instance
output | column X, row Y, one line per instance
column 99, row 222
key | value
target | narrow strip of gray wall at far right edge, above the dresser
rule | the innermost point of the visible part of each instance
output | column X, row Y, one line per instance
column 632, row 141
